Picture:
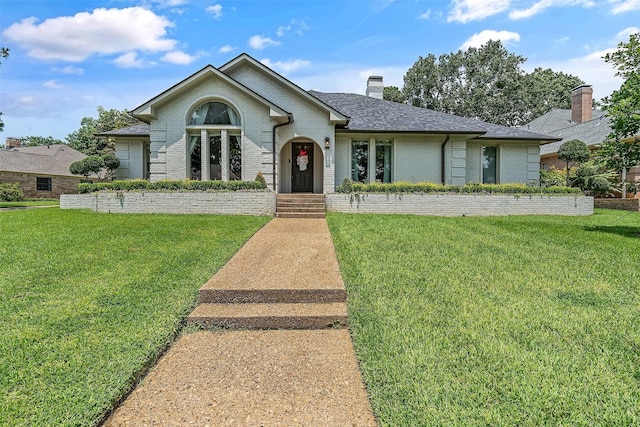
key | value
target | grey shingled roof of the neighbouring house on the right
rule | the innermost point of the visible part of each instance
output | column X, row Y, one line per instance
column 557, row 122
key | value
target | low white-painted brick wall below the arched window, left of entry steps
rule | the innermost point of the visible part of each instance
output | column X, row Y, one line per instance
column 222, row 203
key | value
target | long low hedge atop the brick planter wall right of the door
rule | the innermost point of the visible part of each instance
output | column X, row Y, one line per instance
column 473, row 188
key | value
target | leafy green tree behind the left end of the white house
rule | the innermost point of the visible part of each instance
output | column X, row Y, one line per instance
column 84, row 139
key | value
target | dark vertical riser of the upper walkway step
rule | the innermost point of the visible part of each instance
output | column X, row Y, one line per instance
column 299, row 296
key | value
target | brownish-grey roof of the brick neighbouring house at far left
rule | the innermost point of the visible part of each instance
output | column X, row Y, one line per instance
column 41, row 159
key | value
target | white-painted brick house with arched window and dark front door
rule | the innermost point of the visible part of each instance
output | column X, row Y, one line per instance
column 243, row 118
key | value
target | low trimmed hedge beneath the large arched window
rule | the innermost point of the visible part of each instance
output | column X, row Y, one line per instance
column 160, row 186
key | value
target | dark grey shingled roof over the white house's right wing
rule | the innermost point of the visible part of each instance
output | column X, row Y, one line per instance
column 377, row 115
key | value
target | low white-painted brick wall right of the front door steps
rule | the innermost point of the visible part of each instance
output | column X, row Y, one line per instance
column 459, row 204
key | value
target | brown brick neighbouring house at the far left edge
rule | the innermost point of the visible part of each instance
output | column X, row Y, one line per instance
column 42, row 171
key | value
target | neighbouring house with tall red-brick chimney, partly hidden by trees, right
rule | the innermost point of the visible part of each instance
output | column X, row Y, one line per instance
column 580, row 122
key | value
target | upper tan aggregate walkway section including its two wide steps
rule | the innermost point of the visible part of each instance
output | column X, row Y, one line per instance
column 285, row 277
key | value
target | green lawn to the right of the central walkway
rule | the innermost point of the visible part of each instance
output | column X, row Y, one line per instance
column 514, row 321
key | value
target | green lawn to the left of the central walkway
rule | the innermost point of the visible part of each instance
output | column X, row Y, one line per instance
column 88, row 301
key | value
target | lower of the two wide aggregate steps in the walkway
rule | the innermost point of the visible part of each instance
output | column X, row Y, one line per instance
column 270, row 316
